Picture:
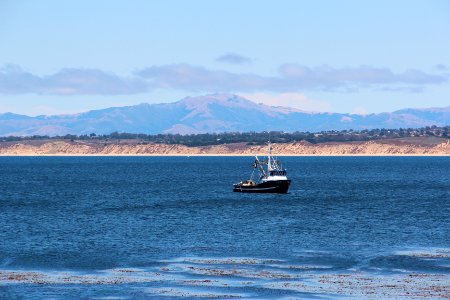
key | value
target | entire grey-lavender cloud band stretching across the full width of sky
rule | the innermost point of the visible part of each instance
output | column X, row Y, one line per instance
column 291, row 78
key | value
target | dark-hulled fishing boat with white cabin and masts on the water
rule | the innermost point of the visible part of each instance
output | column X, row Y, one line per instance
column 271, row 177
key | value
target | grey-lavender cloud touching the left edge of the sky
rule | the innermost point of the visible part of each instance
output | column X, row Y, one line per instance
column 69, row 81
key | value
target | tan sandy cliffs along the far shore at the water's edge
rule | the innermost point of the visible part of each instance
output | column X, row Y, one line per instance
column 63, row 147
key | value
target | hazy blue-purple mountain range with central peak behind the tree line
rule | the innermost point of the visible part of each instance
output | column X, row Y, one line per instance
column 212, row 113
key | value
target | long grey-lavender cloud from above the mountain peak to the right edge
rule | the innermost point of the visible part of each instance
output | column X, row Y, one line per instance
column 290, row 78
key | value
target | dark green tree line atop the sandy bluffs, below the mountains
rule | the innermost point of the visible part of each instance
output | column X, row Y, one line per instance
column 254, row 138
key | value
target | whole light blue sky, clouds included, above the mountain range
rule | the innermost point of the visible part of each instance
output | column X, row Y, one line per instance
column 343, row 56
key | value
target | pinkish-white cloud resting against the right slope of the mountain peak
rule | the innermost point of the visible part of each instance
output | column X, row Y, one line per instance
column 295, row 100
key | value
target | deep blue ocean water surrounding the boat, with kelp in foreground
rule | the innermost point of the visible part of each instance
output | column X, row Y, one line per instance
column 171, row 227
